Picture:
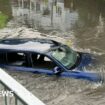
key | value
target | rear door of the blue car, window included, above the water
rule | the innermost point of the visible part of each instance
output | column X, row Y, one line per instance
column 16, row 61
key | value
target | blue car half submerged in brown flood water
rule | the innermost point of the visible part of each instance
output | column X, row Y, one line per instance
column 45, row 56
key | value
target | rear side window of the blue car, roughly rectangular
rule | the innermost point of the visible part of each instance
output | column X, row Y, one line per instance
column 17, row 58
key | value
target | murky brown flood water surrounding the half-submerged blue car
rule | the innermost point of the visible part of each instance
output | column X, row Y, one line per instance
column 81, row 20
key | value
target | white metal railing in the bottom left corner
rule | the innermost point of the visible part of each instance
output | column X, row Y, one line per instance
column 13, row 93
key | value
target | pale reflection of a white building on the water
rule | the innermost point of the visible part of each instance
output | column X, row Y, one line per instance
column 46, row 14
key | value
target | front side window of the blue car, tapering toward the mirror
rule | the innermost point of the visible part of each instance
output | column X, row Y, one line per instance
column 42, row 61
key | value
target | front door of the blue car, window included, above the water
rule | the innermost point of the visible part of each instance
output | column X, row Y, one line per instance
column 42, row 64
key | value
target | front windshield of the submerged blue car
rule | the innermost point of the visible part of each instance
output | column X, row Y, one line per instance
column 65, row 55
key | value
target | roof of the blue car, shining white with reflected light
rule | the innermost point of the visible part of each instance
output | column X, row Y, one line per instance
column 28, row 44
